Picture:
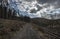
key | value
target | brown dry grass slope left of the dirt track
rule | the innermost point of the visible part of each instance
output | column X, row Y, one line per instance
column 7, row 27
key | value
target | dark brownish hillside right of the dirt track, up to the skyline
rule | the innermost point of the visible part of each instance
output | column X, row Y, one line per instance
column 49, row 28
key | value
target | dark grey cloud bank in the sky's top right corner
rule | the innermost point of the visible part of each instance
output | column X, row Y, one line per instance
column 55, row 3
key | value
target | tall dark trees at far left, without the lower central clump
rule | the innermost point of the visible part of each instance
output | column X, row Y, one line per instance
column 5, row 12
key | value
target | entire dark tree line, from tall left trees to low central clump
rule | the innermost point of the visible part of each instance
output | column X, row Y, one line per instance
column 11, row 14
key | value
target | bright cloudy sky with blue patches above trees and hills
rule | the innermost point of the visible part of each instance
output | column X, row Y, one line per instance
column 36, row 8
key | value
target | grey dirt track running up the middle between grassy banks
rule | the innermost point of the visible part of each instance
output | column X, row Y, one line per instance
column 27, row 33
